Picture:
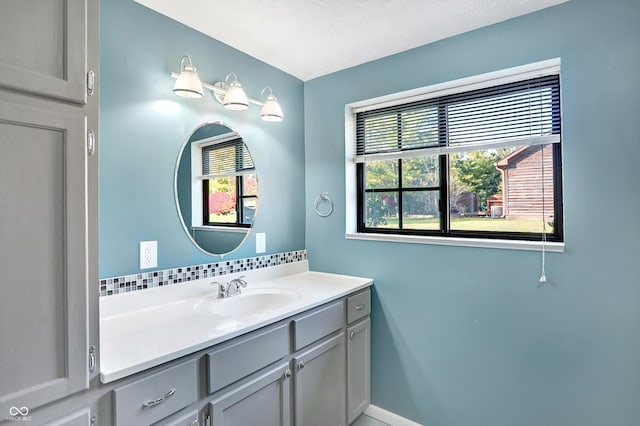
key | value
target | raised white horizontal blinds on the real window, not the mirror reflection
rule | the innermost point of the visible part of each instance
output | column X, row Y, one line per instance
column 518, row 113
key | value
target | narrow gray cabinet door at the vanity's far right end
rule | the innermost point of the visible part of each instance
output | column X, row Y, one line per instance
column 358, row 368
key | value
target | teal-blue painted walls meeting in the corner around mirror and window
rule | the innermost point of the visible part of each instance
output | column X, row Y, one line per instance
column 461, row 336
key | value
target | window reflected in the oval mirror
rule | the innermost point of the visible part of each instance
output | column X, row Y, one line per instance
column 229, row 184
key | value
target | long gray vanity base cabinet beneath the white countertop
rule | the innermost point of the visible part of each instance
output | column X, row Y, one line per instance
column 289, row 373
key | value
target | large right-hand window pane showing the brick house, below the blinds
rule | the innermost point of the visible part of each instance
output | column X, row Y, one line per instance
column 502, row 190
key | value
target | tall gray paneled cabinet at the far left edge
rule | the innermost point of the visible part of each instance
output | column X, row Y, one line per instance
column 48, row 202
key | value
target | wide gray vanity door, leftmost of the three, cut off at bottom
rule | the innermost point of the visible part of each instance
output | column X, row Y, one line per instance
column 262, row 401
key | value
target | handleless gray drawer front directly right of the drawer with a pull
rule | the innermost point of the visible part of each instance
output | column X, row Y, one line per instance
column 238, row 360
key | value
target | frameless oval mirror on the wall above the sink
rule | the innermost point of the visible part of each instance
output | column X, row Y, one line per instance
column 216, row 189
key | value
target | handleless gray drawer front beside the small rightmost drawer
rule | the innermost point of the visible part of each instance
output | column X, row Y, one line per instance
column 317, row 324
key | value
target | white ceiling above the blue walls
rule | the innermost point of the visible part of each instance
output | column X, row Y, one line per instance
column 311, row 38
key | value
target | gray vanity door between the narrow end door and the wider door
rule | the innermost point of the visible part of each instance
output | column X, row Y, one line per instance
column 319, row 384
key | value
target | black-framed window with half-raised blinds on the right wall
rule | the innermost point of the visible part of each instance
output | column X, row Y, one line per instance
column 473, row 163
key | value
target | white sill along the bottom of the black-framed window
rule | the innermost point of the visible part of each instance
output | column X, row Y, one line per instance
column 553, row 247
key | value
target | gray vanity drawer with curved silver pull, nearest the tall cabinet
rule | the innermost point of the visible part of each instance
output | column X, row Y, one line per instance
column 155, row 397
